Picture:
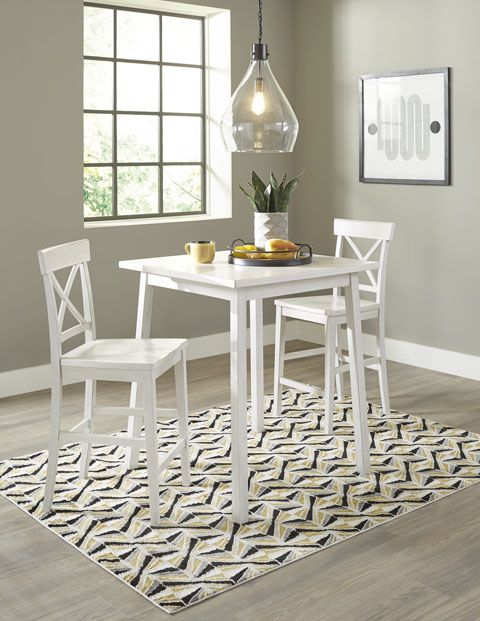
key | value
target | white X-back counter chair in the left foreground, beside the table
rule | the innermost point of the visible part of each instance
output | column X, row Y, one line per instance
column 140, row 361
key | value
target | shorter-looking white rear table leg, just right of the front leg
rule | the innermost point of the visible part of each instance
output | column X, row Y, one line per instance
column 256, row 363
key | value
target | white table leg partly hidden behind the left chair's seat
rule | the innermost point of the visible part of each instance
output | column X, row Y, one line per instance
column 142, row 330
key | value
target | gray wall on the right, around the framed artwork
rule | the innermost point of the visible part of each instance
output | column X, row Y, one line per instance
column 433, row 283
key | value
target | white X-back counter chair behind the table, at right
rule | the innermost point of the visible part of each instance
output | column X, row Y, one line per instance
column 329, row 310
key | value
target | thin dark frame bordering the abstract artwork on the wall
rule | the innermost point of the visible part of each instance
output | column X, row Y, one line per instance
column 446, row 179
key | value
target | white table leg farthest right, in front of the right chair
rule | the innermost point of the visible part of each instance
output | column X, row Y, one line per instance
column 357, row 376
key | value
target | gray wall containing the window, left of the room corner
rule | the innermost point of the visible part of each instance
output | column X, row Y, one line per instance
column 41, row 179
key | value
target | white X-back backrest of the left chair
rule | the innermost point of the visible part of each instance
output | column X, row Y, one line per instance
column 74, row 255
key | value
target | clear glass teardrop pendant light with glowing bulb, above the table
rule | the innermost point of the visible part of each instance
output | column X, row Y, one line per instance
column 259, row 117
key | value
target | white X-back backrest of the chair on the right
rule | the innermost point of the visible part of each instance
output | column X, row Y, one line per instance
column 380, row 234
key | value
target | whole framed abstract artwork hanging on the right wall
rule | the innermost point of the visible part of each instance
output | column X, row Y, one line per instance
column 405, row 127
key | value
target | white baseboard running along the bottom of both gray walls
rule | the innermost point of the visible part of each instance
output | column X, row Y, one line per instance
column 30, row 379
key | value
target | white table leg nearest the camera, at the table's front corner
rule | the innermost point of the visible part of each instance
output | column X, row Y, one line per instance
column 238, row 387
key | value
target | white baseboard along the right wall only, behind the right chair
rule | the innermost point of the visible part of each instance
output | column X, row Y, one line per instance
column 441, row 360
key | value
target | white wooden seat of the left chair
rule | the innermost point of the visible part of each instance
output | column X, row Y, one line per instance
column 138, row 354
